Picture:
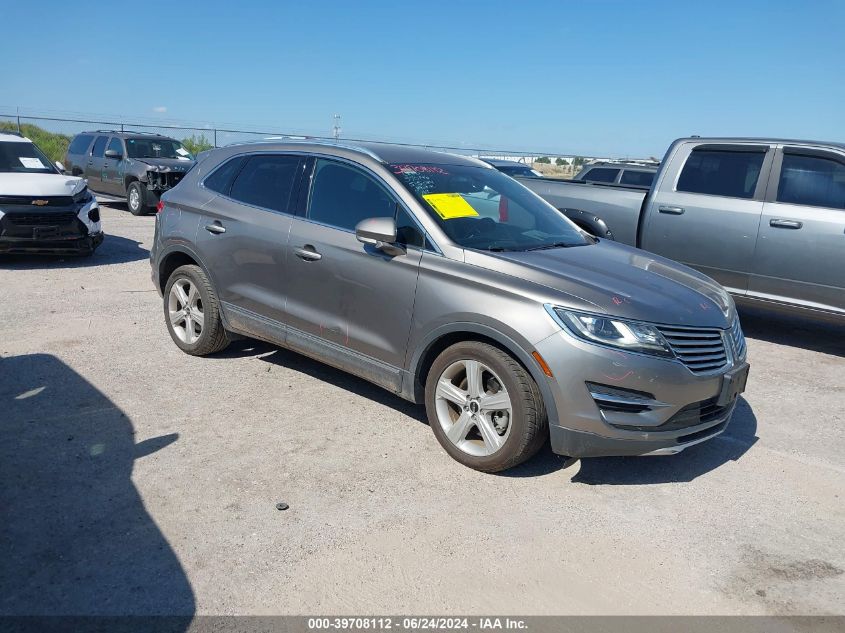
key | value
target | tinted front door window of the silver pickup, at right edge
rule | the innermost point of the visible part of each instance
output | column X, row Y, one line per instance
column 812, row 180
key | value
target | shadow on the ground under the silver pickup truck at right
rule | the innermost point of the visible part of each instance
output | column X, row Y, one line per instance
column 794, row 331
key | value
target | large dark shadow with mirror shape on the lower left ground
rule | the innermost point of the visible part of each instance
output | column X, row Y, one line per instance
column 75, row 538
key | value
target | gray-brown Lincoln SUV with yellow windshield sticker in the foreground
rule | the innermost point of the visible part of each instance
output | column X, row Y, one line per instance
column 450, row 284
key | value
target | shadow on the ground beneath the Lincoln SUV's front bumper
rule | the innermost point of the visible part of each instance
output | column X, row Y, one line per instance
column 685, row 466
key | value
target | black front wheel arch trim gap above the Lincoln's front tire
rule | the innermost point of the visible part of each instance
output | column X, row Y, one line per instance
column 441, row 338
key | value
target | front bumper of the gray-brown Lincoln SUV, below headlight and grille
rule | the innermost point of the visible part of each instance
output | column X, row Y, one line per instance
column 679, row 408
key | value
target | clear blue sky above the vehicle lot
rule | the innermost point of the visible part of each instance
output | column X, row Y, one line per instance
column 593, row 77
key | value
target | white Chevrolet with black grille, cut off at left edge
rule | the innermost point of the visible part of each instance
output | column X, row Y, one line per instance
column 41, row 209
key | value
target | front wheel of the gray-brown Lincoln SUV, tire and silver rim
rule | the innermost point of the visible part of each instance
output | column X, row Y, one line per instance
column 484, row 408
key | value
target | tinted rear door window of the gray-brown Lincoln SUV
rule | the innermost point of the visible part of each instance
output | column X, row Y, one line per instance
column 266, row 181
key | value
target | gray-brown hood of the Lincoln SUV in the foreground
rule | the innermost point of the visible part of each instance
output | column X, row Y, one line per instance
column 620, row 281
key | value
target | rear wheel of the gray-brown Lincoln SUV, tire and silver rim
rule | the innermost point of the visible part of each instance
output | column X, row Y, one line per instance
column 192, row 312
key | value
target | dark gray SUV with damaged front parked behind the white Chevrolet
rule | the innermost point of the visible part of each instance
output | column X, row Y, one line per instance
column 135, row 165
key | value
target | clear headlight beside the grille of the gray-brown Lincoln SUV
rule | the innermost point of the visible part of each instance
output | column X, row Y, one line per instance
column 633, row 336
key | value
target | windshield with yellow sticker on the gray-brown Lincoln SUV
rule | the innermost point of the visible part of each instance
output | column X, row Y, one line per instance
column 484, row 209
